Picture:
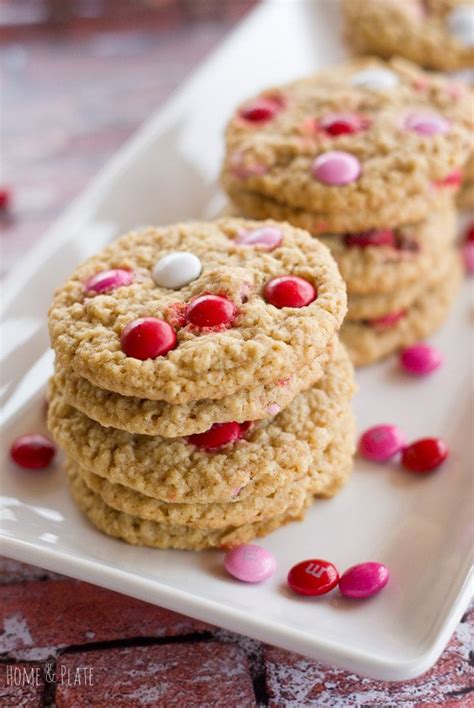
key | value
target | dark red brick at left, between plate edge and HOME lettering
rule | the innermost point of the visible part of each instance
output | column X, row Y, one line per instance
column 66, row 612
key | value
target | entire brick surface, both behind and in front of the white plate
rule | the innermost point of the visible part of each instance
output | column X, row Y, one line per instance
column 78, row 77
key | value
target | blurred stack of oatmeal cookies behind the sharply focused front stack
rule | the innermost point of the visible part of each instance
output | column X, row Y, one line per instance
column 367, row 157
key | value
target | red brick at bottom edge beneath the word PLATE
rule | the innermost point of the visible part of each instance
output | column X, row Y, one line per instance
column 182, row 675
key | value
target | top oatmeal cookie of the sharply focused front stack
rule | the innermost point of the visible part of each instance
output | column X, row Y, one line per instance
column 198, row 310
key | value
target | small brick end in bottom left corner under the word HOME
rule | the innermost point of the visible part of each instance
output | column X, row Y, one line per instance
column 21, row 685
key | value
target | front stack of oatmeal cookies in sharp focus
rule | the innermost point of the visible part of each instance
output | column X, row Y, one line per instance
column 201, row 394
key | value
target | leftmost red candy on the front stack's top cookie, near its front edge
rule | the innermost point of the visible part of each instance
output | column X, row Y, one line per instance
column 147, row 338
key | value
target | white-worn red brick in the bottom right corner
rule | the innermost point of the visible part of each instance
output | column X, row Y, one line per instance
column 292, row 680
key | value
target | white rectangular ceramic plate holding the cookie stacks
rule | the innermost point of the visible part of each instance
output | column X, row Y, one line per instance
column 422, row 528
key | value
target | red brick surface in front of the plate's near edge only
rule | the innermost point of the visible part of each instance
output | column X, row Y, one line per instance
column 97, row 648
